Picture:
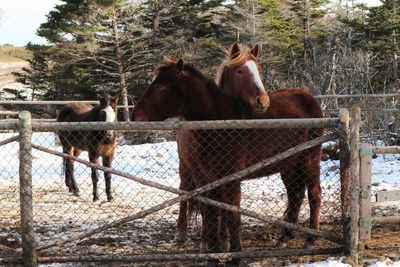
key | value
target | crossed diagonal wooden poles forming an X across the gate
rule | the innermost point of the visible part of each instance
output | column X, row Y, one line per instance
column 186, row 195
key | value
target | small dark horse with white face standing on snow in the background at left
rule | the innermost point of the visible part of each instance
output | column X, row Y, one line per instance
column 98, row 143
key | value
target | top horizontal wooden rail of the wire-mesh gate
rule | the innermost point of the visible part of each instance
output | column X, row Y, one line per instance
column 194, row 125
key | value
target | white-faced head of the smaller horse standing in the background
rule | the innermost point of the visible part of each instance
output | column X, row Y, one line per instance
column 108, row 107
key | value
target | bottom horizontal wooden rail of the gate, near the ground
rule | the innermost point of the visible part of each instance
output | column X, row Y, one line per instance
column 184, row 257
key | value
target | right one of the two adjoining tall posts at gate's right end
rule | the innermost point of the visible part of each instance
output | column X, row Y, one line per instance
column 352, row 242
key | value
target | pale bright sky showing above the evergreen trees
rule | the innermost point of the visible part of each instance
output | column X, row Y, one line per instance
column 19, row 19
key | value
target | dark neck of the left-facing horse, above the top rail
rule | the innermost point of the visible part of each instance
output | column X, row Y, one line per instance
column 210, row 103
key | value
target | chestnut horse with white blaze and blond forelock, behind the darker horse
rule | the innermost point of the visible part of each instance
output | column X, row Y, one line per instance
column 240, row 75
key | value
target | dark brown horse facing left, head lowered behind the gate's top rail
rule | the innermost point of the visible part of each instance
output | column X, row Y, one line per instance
column 179, row 90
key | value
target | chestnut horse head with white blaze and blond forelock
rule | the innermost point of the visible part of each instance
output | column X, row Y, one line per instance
column 240, row 75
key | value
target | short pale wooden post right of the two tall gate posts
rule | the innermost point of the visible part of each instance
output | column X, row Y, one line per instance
column 365, row 193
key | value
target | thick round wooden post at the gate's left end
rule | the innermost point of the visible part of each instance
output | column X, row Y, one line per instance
column 29, row 257
